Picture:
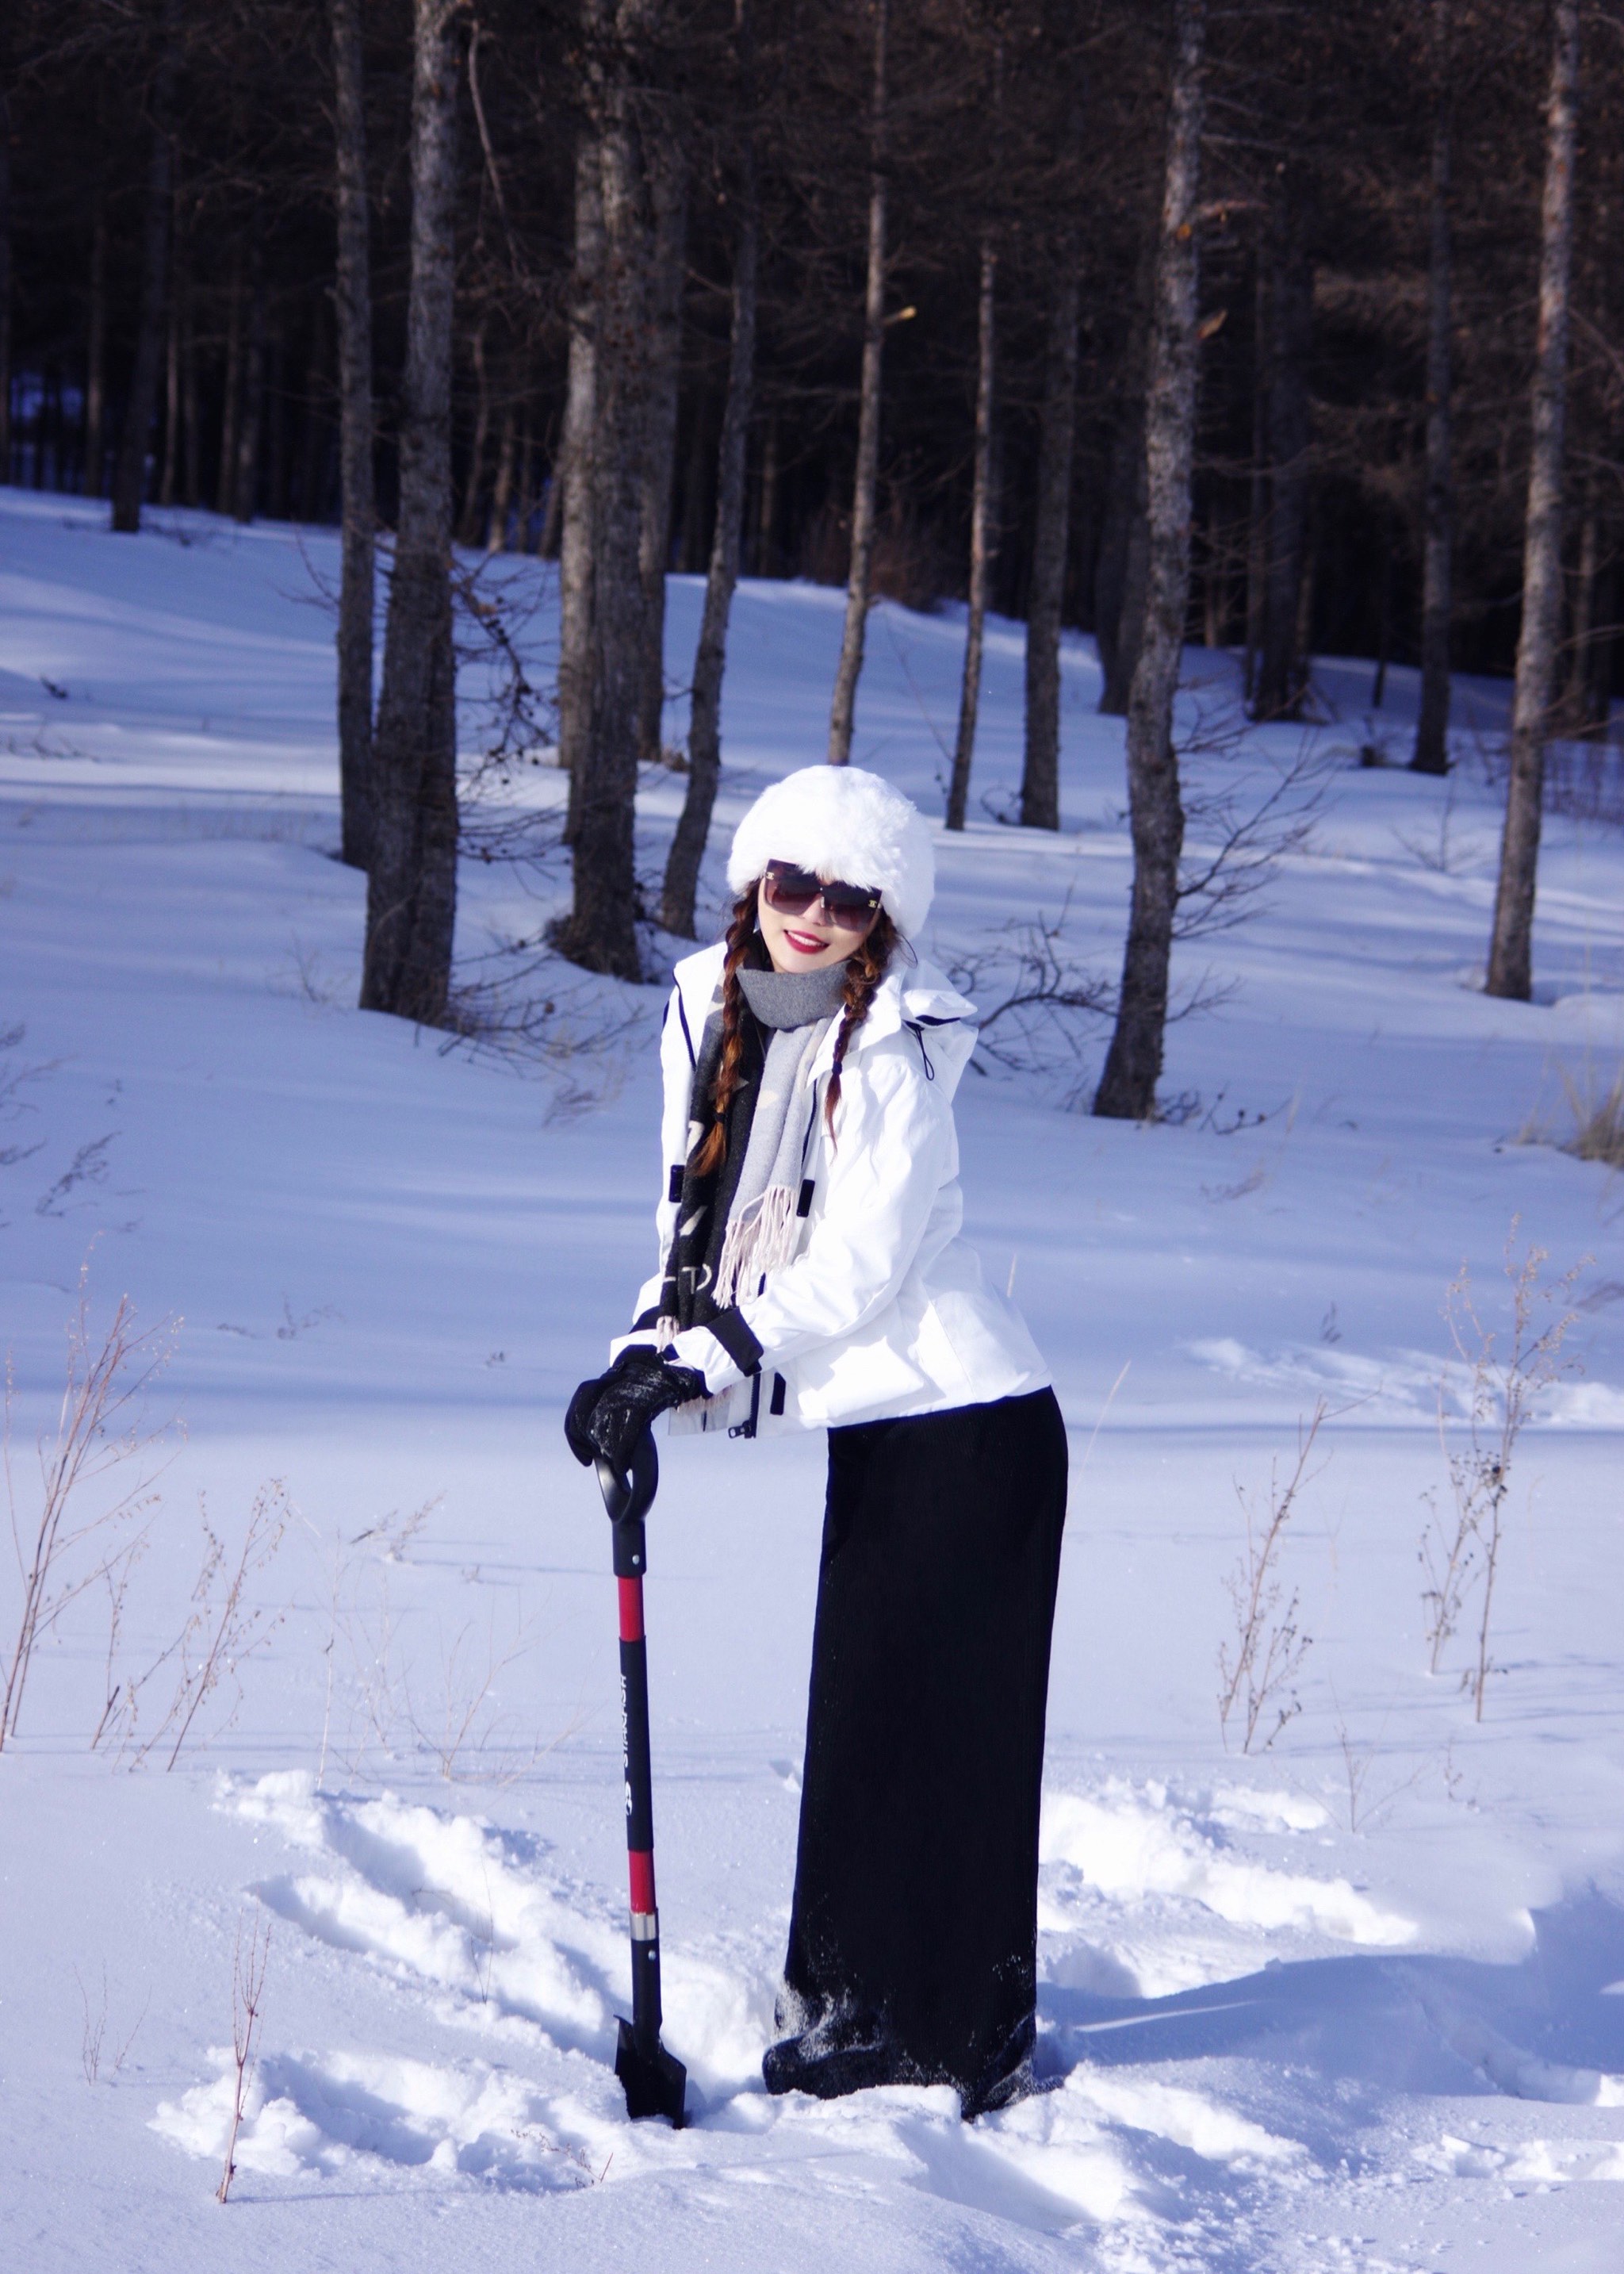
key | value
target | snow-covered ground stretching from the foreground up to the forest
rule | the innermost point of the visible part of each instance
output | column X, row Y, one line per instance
column 1348, row 2002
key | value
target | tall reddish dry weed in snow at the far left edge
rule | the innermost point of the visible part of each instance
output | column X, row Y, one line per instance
column 97, row 1434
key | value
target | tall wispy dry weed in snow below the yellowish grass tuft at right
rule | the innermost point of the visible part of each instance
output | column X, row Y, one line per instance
column 1464, row 1550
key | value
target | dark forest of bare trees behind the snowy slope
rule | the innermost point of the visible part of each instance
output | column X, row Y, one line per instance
column 1275, row 329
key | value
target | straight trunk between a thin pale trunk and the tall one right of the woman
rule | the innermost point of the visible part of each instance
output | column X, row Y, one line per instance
column 1041, row 772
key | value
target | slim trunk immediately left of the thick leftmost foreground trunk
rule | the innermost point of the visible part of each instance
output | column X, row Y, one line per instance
column 358, row 508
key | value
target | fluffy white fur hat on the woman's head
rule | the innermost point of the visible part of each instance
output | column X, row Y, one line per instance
column 847, row 827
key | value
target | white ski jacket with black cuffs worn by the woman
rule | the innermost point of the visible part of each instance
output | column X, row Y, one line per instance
column 884, row 1309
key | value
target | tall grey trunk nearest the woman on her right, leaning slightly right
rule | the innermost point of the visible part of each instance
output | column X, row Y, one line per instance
column 1134, row 1063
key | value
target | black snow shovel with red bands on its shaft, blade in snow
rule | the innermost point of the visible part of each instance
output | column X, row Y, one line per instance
column 654, row 2082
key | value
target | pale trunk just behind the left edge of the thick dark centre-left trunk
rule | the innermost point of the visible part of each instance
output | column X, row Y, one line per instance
column 574, row 472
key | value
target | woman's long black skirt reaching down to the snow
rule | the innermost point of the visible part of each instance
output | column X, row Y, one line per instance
column 913, row 1941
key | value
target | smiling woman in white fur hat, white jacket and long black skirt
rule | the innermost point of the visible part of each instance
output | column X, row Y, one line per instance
column 811, row 1277
